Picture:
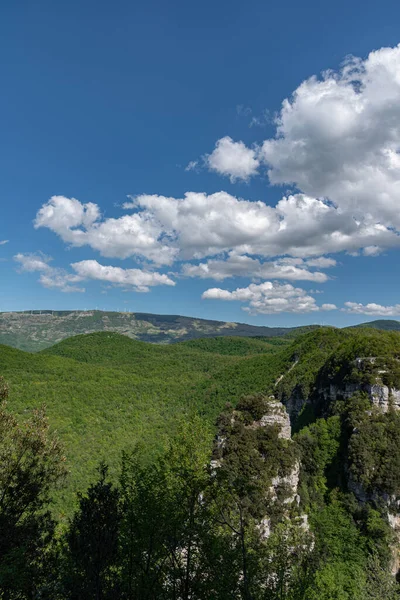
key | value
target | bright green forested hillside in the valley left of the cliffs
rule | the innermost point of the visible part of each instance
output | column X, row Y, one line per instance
column 105, row 392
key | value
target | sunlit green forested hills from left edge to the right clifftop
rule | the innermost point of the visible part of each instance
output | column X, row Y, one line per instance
column 106, row 393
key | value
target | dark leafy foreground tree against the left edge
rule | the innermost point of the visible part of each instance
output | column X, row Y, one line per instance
column 31, row 464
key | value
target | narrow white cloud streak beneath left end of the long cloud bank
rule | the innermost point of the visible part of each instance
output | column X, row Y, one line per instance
column 136, row 279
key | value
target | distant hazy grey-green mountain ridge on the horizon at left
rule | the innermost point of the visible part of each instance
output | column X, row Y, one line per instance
column 37, row 330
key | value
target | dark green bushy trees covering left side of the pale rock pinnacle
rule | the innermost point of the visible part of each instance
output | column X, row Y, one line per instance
column 249, row 458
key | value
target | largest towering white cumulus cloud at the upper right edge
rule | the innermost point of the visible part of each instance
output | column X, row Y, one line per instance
column 339, row 138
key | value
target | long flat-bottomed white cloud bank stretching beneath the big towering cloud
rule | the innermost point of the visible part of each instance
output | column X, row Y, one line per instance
column 163, row 229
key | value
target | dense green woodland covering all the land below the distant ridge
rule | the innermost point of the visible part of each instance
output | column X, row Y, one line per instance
column 148, row 476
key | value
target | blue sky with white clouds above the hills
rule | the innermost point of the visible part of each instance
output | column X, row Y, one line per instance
column 237, row 207
